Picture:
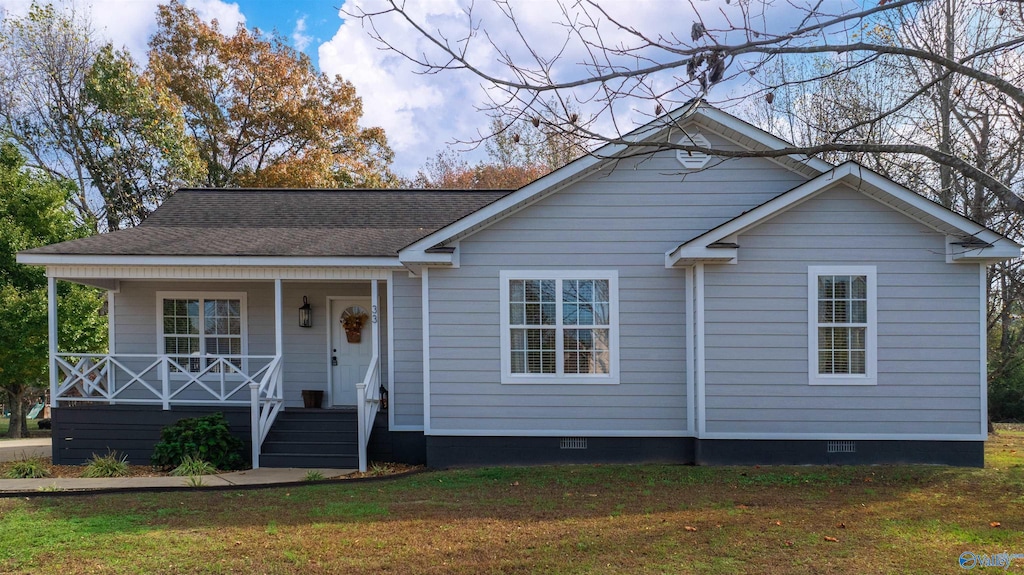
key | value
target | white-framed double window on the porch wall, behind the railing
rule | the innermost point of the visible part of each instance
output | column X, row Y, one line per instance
column 195, row 327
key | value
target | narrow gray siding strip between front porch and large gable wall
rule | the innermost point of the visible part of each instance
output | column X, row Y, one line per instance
column 407, row 393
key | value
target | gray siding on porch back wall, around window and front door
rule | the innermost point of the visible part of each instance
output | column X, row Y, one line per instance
column 306, row 350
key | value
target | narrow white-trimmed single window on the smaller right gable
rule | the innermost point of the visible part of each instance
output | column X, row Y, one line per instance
column 842, row 326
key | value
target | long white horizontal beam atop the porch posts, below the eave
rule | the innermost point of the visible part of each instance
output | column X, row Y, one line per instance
column 83, row 274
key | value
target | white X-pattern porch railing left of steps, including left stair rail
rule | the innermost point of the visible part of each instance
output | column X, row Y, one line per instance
column 162, row 380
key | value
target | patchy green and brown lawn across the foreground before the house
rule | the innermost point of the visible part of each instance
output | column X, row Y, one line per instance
column 584, row 519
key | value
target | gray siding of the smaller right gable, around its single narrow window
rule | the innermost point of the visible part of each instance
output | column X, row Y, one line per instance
column 757, row 328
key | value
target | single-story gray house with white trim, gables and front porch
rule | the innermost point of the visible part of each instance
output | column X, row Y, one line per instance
column 635, row 305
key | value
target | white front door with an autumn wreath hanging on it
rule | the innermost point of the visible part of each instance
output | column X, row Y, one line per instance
column 350, row 361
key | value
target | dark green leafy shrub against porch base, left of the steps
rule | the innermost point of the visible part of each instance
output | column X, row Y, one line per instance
column 207, row 438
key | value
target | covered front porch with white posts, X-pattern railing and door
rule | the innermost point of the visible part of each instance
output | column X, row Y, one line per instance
column 243, row 340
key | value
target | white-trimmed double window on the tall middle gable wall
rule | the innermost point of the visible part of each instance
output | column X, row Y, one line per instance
column 560, row 327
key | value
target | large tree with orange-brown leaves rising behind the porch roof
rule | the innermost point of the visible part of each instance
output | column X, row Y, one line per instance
column 261, row 113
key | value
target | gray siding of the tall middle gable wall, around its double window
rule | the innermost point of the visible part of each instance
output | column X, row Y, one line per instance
column 623, row 219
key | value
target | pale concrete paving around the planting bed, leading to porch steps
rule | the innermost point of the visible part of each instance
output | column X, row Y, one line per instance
column 24, row 449
